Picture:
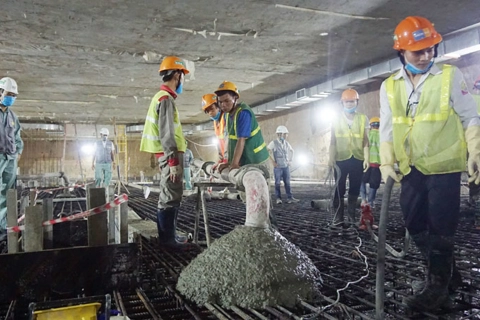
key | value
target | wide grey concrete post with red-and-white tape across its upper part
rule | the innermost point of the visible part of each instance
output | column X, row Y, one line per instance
column 97, row 224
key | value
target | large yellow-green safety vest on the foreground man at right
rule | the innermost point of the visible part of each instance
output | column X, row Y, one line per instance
column 433, row 141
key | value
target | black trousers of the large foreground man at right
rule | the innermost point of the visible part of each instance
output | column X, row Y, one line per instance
column 431, row 202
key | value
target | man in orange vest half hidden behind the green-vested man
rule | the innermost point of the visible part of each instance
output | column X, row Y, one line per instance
column 210, row 107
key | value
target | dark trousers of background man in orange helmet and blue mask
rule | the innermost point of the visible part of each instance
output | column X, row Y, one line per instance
column 353, row 168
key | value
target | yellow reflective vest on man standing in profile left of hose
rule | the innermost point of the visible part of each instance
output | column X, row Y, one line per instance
column 150, row 138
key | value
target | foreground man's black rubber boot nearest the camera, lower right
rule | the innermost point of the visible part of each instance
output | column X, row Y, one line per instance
column 440, row 265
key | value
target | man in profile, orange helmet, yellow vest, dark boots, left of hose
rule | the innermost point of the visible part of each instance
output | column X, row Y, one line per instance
column 163, row 136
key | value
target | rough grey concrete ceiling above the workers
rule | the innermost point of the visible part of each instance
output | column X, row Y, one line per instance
column 90, row 61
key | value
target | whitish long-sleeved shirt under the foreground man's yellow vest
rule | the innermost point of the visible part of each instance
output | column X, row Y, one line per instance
column 460, row 100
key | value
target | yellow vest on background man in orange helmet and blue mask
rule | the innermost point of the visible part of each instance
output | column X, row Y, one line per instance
column 350, row 138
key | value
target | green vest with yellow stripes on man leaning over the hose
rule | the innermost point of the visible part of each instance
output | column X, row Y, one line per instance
column 255, row 150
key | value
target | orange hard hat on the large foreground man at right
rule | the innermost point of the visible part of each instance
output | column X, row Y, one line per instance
column 414, row 34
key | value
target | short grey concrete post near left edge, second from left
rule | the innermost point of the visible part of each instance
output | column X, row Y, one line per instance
column 33, row 235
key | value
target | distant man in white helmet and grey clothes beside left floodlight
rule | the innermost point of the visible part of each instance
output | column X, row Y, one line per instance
column 103, row 160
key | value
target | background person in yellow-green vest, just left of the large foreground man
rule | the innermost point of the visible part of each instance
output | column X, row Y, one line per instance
column 372, row 176
